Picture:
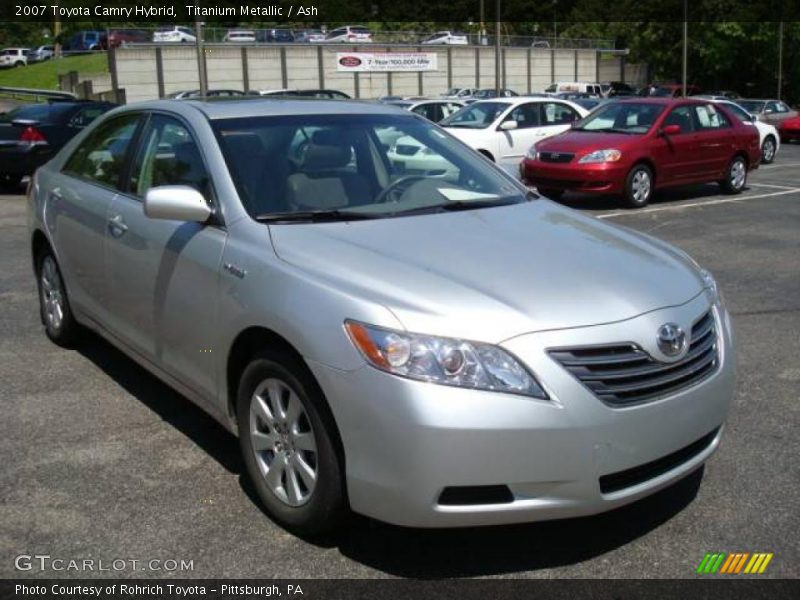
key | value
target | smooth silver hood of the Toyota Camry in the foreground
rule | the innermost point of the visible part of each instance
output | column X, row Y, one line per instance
column 491, row 274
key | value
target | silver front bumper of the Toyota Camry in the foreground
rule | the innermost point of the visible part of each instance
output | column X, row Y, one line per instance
column 406, row 441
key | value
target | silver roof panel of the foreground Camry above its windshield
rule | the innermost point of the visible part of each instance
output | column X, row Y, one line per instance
column 258, row 106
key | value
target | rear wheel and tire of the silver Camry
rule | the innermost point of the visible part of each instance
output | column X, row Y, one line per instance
column 59, row 323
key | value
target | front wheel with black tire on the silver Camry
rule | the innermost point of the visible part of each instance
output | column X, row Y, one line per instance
column 286, row 428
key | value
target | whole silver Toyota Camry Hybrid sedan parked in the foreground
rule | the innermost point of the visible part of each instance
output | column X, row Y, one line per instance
column 425, row 342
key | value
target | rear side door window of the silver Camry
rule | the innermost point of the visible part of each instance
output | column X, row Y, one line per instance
column 101, row 156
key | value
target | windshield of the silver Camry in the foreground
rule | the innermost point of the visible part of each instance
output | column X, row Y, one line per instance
column 355, row 166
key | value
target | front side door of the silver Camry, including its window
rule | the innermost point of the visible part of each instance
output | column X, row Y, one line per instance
column 163, row 275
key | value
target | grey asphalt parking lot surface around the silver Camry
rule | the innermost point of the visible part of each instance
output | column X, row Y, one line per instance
column 101, row 460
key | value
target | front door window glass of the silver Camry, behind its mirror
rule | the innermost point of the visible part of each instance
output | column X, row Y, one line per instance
column 169, row 156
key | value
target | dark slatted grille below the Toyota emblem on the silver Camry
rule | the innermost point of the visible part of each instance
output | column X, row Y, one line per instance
column 625, row 374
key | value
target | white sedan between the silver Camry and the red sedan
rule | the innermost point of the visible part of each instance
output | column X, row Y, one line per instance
column 504, row 129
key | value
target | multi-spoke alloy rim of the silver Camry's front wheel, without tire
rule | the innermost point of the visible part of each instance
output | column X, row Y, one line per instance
column 283, row 442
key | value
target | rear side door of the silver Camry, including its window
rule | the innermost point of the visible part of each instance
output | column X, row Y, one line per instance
column 78, row 210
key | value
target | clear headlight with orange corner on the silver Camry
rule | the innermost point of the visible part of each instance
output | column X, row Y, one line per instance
column 444, row 361
